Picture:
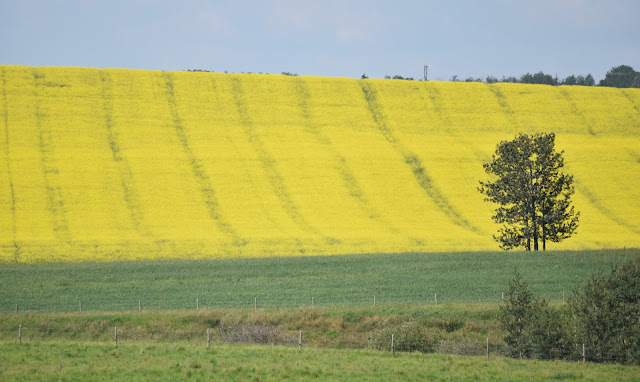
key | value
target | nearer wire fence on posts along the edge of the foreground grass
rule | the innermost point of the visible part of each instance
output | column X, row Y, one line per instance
column 265, row 335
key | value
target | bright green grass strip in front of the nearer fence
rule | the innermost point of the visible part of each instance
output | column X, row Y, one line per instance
column 170, row 362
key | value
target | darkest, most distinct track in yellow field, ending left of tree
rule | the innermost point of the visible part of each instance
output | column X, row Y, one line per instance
column 413, row 161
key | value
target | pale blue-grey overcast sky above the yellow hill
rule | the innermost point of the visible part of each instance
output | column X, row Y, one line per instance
column 326, row 38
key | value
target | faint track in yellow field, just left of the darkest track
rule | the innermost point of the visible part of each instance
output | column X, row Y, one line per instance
column 349, row 179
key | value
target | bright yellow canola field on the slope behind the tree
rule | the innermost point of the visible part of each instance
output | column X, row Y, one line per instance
column 102, row 165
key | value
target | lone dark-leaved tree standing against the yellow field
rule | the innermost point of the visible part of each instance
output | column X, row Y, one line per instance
column 532, row 193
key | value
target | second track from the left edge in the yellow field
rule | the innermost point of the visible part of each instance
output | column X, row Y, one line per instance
column 51, row 173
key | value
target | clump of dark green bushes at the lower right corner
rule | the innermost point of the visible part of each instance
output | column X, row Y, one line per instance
column 604, row 315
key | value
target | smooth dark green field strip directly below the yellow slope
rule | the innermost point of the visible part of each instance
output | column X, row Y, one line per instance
column 351, row 280
